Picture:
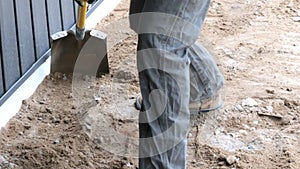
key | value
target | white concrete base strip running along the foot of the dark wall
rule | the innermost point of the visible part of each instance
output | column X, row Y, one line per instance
column 13, row 104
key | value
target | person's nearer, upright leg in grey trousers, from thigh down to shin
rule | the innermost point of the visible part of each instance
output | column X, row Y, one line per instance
column 170, row 75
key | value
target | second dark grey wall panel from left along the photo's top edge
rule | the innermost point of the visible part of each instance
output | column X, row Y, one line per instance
column 25, row 34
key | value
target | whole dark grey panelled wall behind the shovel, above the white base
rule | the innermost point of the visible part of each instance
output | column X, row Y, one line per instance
column 25, row 29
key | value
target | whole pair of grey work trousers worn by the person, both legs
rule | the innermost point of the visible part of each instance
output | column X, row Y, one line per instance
column 174, row 70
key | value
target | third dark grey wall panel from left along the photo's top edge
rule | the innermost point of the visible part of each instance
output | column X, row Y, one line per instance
column 40, row 27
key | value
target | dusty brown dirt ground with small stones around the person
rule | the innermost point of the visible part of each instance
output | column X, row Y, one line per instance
column 256, row 44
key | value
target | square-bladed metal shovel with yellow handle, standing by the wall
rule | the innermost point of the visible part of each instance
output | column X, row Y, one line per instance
column 80, row 52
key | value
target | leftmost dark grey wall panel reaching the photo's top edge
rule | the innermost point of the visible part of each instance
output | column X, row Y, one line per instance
column 9, row 43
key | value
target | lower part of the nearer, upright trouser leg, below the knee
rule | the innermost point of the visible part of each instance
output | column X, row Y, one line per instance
column 164, row 119
